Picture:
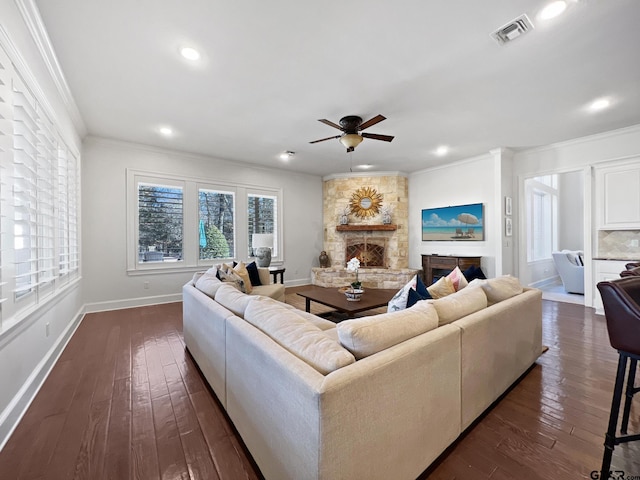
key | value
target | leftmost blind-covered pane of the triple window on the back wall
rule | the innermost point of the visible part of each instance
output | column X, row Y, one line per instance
column 160, row 223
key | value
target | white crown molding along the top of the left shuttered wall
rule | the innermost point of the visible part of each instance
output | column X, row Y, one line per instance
column 33, row 21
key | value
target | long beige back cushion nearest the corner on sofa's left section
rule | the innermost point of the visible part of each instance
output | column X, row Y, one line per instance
column 297, row 335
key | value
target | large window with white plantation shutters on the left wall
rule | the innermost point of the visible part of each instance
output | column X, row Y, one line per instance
column 39, row 188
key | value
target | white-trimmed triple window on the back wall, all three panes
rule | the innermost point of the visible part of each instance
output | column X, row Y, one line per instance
column 185, row 223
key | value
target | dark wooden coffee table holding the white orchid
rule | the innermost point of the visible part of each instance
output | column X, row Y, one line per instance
column 332, row 297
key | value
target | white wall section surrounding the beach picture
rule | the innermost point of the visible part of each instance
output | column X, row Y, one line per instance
column 473, row 181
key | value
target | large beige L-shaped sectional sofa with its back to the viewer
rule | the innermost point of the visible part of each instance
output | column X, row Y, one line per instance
column 376, row 397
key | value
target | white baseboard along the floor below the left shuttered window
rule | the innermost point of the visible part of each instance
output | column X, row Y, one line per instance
column 19, row 404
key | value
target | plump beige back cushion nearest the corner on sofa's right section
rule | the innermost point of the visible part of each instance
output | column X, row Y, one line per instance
column 368, row 335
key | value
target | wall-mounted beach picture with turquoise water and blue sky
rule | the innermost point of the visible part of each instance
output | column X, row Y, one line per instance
column 457, row 223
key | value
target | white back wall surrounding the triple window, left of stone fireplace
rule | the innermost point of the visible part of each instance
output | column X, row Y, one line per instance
column 104, row 228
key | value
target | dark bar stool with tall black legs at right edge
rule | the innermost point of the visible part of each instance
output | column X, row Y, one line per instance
column 621, row 299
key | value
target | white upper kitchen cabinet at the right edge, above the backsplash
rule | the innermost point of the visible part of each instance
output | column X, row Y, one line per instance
column 618, row 195
